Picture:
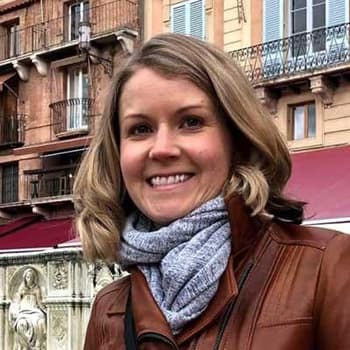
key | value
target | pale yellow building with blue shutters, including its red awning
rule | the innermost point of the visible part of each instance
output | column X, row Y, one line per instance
column 296, row 54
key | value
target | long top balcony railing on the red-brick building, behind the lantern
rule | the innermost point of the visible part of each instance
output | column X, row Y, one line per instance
column 105, row 18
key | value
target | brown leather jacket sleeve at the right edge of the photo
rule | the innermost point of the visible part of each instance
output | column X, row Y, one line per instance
column 332, row 302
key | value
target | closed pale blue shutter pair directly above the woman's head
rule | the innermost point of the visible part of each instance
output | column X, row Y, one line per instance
column 188, row 18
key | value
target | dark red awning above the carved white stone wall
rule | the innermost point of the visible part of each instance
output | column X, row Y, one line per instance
column 35, row 232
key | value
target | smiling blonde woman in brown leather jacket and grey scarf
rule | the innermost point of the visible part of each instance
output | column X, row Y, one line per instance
column 183, row 184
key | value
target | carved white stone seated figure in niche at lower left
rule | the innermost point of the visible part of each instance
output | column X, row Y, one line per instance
column 27, row 313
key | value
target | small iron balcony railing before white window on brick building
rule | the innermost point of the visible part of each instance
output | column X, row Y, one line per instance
column 71, row 115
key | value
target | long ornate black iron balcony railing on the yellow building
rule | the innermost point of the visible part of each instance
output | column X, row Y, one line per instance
column 302, row 53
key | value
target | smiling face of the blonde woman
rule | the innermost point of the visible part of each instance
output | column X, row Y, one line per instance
column 175, row 151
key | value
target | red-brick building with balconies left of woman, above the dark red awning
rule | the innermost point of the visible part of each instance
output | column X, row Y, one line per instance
column 51, row 93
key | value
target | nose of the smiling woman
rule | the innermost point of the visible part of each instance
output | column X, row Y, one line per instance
column 164, row 145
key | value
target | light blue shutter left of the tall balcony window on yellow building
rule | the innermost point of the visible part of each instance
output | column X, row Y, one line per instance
column 273, row 21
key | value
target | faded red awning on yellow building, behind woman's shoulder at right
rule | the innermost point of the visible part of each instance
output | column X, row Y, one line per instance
column 322, row 179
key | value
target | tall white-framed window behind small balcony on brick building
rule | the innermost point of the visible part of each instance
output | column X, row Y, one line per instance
column 75, row 114
